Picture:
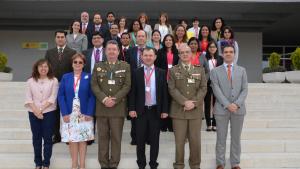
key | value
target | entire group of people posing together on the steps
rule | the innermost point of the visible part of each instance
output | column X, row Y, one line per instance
column 99, row 74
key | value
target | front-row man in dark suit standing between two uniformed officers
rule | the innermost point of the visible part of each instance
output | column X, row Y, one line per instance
column 148, row 104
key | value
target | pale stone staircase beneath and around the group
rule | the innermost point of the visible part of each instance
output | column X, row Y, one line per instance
column 270, row 139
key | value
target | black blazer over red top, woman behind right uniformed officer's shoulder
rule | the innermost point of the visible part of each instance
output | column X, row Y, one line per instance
column 162, row 61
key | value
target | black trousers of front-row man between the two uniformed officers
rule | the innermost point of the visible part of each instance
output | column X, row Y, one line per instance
column 147, row 129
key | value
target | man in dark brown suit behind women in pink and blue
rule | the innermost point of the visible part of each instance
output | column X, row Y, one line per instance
column 60, row 59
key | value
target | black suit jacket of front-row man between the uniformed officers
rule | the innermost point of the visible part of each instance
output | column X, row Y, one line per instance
column 137, row 93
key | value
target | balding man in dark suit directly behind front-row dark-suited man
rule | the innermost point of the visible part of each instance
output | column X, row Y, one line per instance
column 133, row 57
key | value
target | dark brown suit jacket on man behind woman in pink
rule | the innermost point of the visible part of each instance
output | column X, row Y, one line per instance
column 62, row 66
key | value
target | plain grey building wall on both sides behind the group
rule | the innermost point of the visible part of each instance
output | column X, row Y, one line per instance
column 21, row 60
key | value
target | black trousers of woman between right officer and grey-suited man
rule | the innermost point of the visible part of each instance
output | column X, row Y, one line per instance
column 209, row 100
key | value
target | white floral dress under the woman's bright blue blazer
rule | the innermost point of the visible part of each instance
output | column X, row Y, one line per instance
column 77, row 130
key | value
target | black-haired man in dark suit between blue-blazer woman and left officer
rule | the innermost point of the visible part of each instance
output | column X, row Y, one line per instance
column 95, row 54
